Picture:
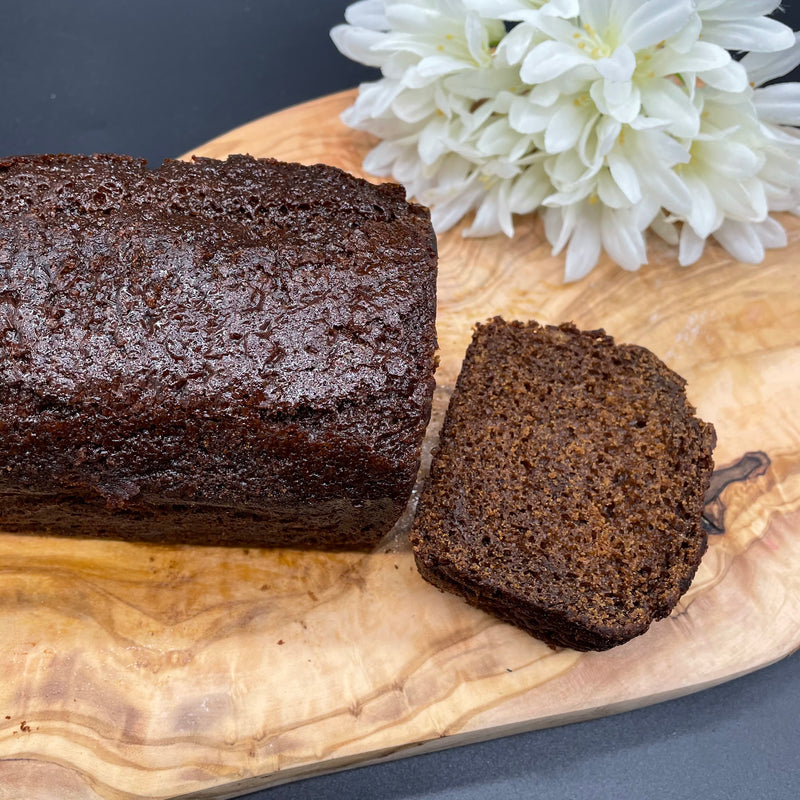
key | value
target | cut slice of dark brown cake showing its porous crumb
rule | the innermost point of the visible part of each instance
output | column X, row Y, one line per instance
column 567, row 490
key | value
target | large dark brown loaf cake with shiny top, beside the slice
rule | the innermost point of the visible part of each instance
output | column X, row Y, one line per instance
column 234, row 352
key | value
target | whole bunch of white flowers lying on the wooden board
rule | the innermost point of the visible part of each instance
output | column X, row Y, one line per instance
column 608, row 116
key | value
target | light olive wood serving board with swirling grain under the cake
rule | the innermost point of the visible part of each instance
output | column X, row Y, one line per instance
column 153, row 672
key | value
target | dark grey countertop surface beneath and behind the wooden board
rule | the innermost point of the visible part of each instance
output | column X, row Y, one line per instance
column 154, row 78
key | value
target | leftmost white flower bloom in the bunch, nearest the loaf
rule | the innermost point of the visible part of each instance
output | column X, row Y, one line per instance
column 433, row 106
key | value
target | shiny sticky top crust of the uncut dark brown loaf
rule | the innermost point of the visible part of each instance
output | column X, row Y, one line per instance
column 210, row 286
